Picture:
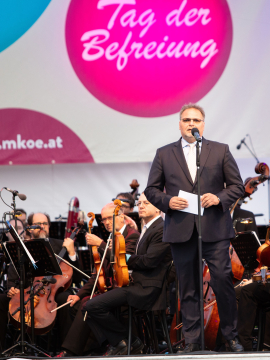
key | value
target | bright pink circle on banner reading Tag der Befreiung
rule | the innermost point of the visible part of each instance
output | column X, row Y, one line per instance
column 148, row 57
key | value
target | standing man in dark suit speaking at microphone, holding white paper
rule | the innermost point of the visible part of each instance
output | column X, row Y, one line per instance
column 174, row 167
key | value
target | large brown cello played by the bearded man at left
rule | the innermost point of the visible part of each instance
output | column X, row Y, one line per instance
column 45, row 289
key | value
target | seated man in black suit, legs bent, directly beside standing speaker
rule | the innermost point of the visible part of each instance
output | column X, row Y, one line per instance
column 147, row 291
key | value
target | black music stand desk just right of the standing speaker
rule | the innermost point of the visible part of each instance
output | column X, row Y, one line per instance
column 246, row 244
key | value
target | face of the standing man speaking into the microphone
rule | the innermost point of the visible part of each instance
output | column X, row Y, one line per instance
column 186, row 127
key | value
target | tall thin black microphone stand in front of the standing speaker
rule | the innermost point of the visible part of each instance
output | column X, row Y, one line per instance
column 200, row 242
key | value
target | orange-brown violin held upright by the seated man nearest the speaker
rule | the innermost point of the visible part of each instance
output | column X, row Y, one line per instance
column 118, row 253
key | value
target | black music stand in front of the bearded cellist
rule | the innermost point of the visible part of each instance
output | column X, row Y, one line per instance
column 47, row 265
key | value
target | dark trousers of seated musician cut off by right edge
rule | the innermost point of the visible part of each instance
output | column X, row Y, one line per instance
column 251, row 297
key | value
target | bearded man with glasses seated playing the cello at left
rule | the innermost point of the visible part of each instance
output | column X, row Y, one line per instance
column 43, row 220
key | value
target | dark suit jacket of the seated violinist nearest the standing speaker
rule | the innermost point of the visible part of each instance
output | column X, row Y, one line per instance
column 150, row 266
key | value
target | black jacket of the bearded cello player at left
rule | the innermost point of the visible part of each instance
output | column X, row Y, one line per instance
column 57, row 247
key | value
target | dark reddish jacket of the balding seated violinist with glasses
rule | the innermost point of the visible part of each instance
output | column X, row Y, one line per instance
column 131, row 236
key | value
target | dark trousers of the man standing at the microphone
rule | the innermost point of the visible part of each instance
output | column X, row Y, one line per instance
column 216, row 254
